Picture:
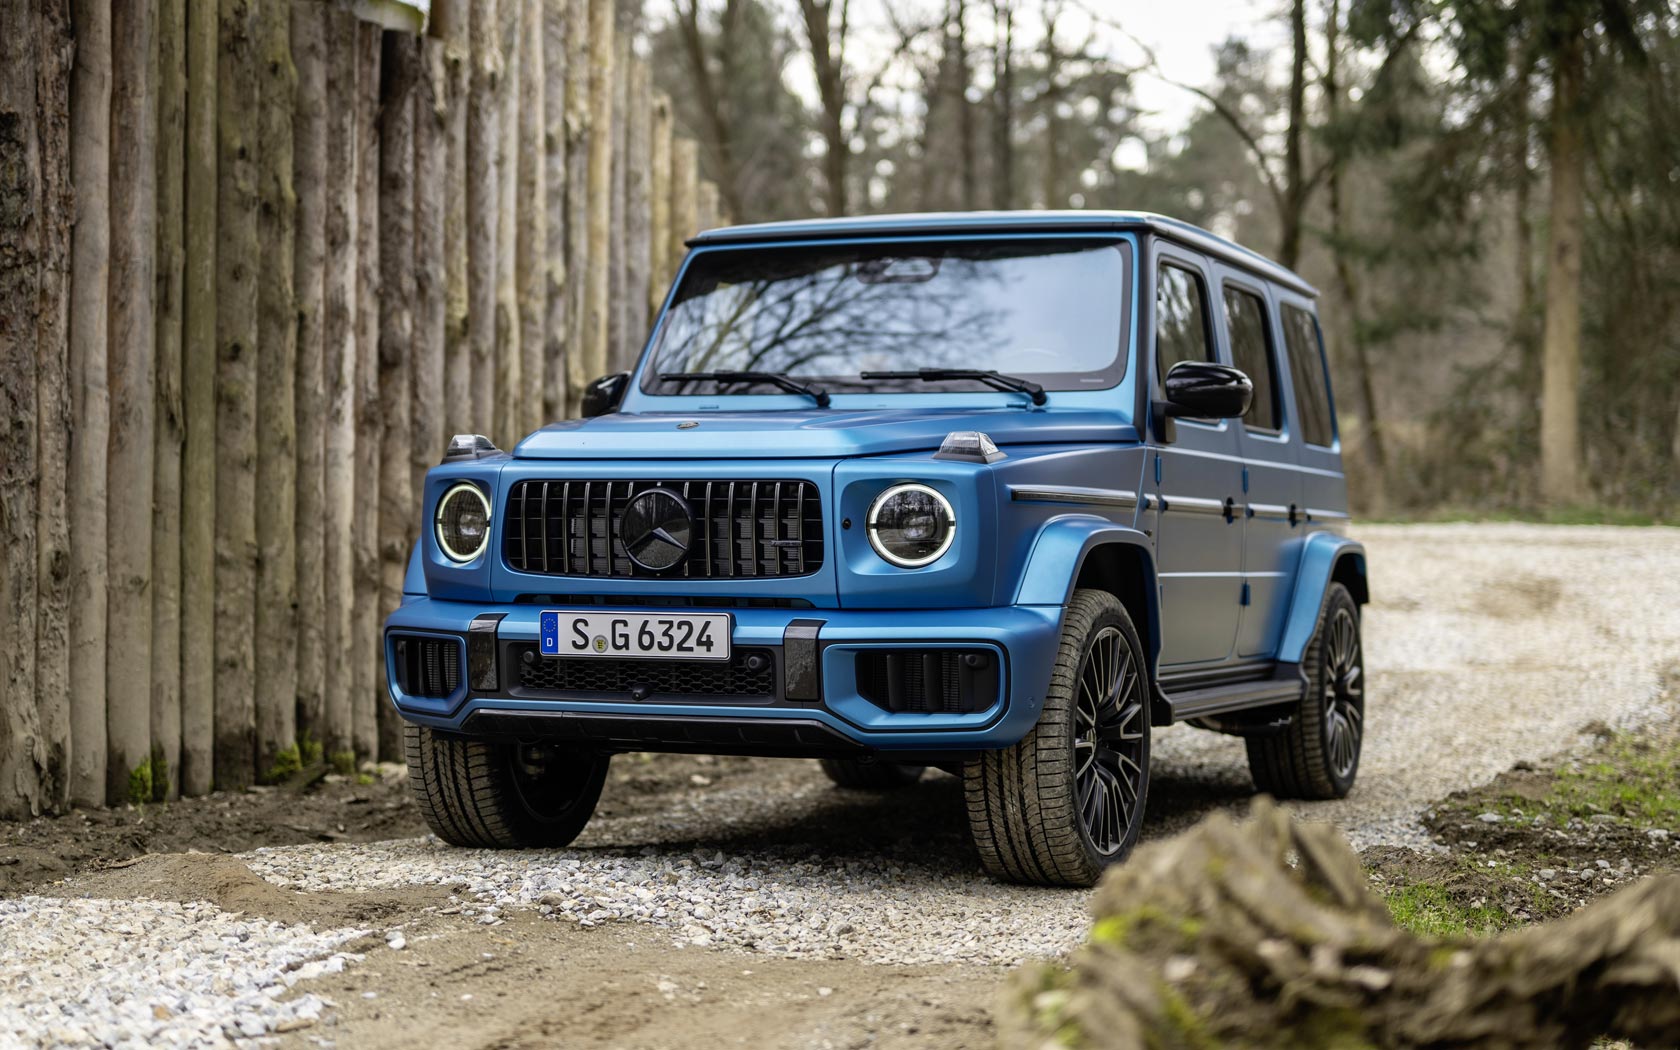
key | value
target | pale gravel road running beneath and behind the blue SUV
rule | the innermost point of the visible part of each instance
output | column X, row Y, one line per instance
column 1488, row 646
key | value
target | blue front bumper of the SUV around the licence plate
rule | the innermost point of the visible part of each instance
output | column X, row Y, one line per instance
column 807, row 715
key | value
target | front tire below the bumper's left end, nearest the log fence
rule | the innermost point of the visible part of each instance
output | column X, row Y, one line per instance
column 501, row 795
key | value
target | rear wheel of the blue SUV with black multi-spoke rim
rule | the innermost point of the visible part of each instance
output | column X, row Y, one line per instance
column 1318, row 757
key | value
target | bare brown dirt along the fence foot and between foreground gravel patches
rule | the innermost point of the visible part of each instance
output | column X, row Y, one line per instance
column 530, row 982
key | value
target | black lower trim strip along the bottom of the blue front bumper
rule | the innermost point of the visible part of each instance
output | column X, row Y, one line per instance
column 762, row 738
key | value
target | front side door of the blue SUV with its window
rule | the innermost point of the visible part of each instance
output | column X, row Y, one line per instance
column 1197, row 480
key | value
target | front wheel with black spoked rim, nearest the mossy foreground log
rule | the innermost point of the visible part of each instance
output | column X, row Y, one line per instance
column 1069, row 799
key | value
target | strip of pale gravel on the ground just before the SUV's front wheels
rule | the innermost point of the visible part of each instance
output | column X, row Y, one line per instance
column 772, row 901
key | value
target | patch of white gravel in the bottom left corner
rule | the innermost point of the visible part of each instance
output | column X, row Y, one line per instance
column 154, row 974
